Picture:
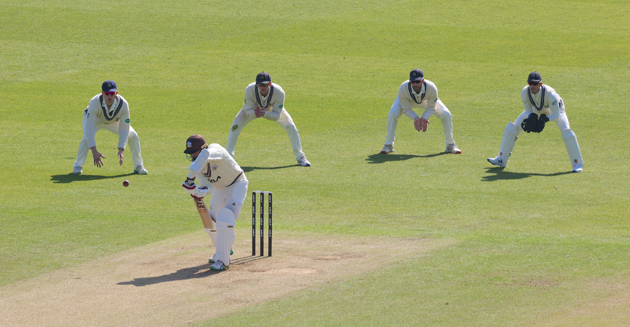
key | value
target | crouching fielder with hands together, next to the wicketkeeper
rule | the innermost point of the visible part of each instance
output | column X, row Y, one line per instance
column 419, row 93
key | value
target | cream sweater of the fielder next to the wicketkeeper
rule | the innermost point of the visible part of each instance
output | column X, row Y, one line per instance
column 427, row 99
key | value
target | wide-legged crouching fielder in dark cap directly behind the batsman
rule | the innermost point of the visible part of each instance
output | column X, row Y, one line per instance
column 264, row 99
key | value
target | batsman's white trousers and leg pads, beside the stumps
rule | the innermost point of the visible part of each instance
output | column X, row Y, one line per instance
column 230, row 198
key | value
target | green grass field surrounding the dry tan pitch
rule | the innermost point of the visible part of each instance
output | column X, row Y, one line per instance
column 532, row 237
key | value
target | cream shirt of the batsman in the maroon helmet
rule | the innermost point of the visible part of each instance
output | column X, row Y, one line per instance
column 215, row 168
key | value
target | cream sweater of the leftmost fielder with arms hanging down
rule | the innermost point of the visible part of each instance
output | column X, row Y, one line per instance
column 97, row 113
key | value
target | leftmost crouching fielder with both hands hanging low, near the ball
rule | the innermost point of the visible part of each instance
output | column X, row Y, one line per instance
column 109, row 111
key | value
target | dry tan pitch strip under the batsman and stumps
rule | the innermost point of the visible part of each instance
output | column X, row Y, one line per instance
column 169, row 283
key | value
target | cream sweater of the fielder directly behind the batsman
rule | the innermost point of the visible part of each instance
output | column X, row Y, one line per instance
column 273, row 103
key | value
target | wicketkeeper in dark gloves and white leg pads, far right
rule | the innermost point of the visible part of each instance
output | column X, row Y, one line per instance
column 542, row 104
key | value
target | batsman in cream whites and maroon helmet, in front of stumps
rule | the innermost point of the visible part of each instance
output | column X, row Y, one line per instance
column 216, row 172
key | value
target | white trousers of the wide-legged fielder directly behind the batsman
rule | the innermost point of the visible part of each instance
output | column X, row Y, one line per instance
column 285, row 121
